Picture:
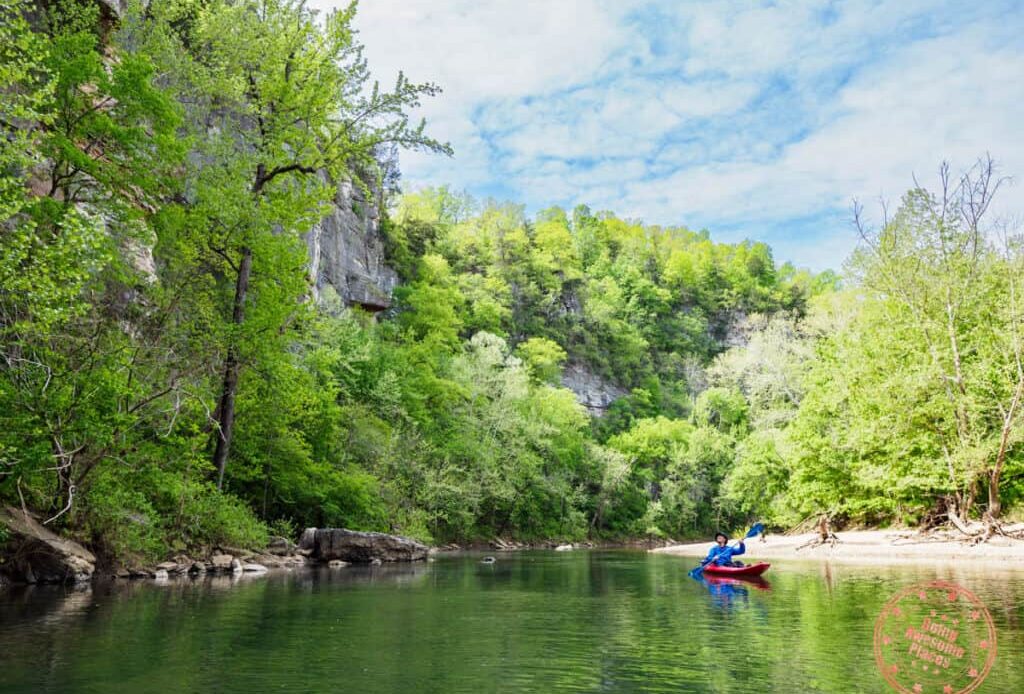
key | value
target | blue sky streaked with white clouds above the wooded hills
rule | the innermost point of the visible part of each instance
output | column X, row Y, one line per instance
column 753, row 120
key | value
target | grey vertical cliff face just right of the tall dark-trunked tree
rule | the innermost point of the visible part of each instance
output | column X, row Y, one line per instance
column 347, row 252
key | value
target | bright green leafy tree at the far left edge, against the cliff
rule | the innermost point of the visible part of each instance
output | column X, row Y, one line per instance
column 91, row 144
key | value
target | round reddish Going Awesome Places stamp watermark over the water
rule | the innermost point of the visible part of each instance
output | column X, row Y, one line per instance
column 934, row 638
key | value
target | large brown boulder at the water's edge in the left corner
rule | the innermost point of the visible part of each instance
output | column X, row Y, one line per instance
column 33, row 554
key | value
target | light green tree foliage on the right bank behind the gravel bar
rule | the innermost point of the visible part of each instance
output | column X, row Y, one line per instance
column 900, row 399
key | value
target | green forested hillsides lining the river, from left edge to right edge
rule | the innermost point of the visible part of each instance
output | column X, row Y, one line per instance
column 169, row 380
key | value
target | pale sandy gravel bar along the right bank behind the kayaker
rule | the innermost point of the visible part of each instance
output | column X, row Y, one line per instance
column 873, row 547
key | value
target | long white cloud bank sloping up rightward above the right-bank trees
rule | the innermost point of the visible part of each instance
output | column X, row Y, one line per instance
column 942, row 99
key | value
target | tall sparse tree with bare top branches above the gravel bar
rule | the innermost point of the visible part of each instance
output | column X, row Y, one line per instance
column 937, row 261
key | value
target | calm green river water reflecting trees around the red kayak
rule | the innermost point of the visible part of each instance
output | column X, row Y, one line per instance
column 532, row 622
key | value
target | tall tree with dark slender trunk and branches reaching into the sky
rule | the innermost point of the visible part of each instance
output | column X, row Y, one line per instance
column 281, row 112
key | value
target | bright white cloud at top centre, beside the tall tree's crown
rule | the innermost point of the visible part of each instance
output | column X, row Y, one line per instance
column 481, row 50
